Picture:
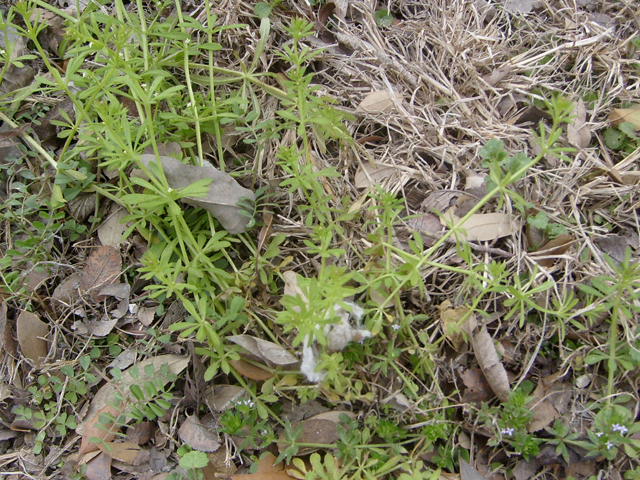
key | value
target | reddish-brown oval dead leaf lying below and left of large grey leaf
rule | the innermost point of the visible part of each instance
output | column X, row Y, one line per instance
column 103, row 268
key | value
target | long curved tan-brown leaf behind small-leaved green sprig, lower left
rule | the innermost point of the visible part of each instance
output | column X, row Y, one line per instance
column 175, row 363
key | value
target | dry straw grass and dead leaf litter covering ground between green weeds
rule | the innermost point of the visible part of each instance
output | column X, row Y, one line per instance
column 459, row 99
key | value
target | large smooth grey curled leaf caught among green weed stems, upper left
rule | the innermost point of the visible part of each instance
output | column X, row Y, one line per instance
column 223, row 197
